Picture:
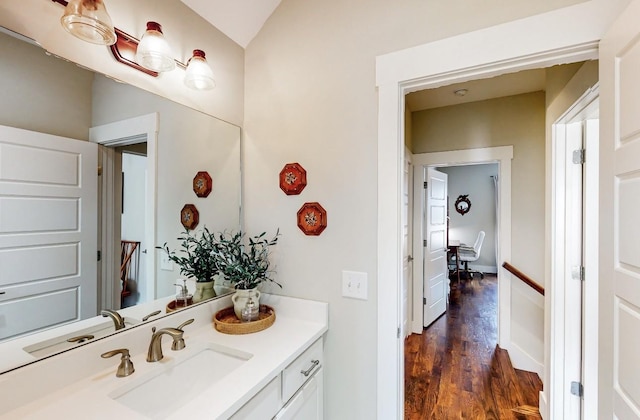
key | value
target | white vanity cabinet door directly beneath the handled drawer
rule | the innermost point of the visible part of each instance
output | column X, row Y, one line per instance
column 307, row 403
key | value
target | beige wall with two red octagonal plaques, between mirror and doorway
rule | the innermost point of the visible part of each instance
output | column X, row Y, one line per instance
column 311, row 98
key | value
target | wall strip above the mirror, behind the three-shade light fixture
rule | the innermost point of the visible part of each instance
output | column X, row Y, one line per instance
column 183, row 29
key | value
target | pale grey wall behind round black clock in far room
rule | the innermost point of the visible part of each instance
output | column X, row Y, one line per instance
column 476, row 182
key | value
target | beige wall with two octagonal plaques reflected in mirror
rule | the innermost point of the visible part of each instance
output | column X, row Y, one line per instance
column 188, row 142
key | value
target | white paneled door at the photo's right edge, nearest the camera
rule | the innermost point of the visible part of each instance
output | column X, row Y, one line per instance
column 619, row 227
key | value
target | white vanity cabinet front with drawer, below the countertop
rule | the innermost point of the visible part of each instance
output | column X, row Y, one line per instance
column 295, row 393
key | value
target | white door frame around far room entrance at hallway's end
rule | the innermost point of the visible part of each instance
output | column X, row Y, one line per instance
column 502, row 155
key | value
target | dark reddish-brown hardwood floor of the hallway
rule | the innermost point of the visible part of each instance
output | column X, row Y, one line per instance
column 455, row 370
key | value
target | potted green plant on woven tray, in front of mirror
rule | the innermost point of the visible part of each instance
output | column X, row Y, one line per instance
column 244, row 262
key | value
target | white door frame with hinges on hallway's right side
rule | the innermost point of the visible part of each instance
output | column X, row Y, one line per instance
column 558, row 302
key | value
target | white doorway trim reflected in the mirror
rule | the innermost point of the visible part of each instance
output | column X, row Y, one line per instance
column 126, row 132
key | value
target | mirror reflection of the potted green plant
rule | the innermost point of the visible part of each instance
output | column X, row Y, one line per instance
column 198, row 260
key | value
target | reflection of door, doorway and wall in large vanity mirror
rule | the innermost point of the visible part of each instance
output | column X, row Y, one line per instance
column 145, row 182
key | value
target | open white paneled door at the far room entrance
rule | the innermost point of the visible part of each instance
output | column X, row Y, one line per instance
column 436, row 279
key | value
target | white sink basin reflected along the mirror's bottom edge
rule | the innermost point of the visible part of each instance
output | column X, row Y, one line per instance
column 57, row 344
